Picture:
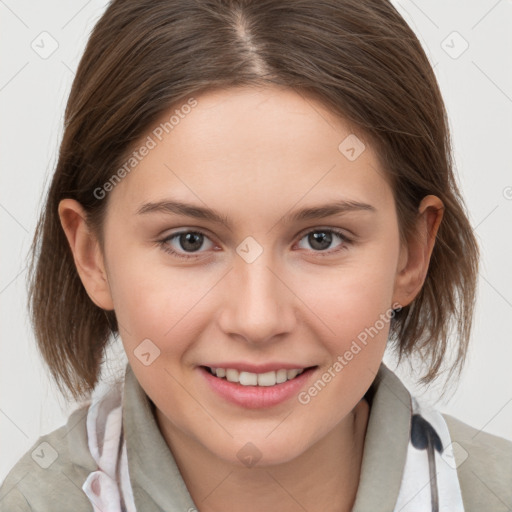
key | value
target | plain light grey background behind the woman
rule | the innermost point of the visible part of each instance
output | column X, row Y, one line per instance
column 477, row 88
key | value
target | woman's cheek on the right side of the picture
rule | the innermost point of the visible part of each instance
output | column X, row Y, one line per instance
column 357, row 308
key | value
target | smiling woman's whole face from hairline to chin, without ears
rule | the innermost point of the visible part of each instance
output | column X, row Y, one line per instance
column 265, row 289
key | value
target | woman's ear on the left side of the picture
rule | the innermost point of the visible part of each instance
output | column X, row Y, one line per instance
column 86, row 251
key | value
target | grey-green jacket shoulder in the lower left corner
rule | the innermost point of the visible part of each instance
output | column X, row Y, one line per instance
column 50, row 475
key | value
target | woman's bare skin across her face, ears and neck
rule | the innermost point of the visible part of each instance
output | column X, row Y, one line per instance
column 254, row 155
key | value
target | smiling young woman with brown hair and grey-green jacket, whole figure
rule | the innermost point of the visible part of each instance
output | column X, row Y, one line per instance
column 257, row 197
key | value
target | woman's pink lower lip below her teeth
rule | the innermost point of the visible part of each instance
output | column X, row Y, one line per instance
column 256, row 397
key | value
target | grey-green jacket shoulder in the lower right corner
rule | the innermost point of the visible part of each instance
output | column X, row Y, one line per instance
column 484, row 466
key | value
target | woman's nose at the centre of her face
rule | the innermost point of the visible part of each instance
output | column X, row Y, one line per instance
column 259, row 304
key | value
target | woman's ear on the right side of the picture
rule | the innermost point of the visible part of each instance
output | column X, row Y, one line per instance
column 415, row 255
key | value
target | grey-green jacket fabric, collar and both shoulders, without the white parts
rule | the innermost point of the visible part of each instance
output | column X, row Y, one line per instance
column 485, row 476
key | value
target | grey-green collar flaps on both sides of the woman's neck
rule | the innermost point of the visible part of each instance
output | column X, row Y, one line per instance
column 158, row 485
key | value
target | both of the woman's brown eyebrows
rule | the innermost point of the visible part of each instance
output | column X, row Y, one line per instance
column 314, row 212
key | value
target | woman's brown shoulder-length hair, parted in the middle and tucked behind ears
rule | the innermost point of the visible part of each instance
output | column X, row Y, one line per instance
column 359, row 58
